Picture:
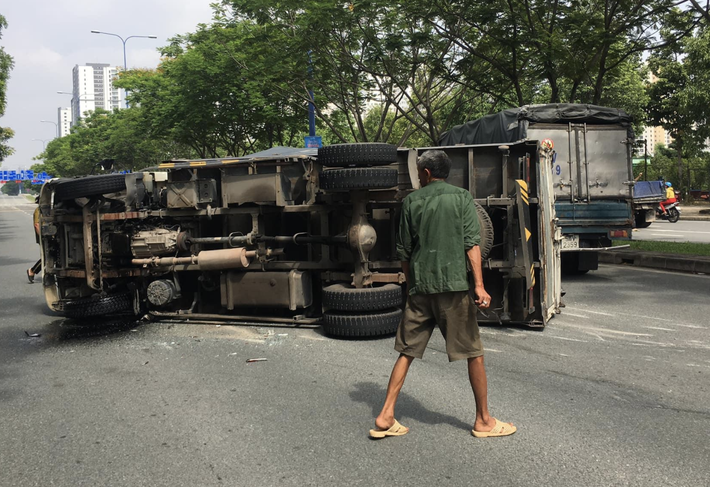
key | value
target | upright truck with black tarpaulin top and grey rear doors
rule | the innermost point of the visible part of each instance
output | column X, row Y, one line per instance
column 592, row 171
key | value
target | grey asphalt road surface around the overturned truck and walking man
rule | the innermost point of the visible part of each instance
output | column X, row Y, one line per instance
column 615, row 391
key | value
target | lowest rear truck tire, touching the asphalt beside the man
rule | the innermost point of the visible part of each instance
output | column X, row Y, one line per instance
column 369, row 325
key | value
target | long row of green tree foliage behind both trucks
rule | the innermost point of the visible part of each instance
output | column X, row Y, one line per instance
column 398, row 72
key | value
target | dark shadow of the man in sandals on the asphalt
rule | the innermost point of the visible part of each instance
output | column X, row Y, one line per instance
column 373, row 395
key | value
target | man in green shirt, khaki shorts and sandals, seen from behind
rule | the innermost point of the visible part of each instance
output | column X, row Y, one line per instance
column 438, row 234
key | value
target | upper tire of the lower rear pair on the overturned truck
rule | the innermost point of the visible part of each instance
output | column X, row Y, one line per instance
column 343, row 297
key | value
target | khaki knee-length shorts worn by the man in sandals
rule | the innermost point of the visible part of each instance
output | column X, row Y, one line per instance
column 454, row 312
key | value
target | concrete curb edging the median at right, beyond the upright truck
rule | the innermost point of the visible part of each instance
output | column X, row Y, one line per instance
column 668, row 262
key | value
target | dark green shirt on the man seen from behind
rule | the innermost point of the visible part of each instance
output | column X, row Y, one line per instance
column 437, row 226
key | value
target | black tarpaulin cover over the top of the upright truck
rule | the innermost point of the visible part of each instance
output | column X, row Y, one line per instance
column 512, row 125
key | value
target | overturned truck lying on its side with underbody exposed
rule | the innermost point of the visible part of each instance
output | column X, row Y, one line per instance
column 289, row 236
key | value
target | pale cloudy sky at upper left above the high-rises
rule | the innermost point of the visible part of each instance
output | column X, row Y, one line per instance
column 47, row 38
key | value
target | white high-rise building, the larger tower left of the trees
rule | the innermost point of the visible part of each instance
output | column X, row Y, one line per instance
column 93, row 89
